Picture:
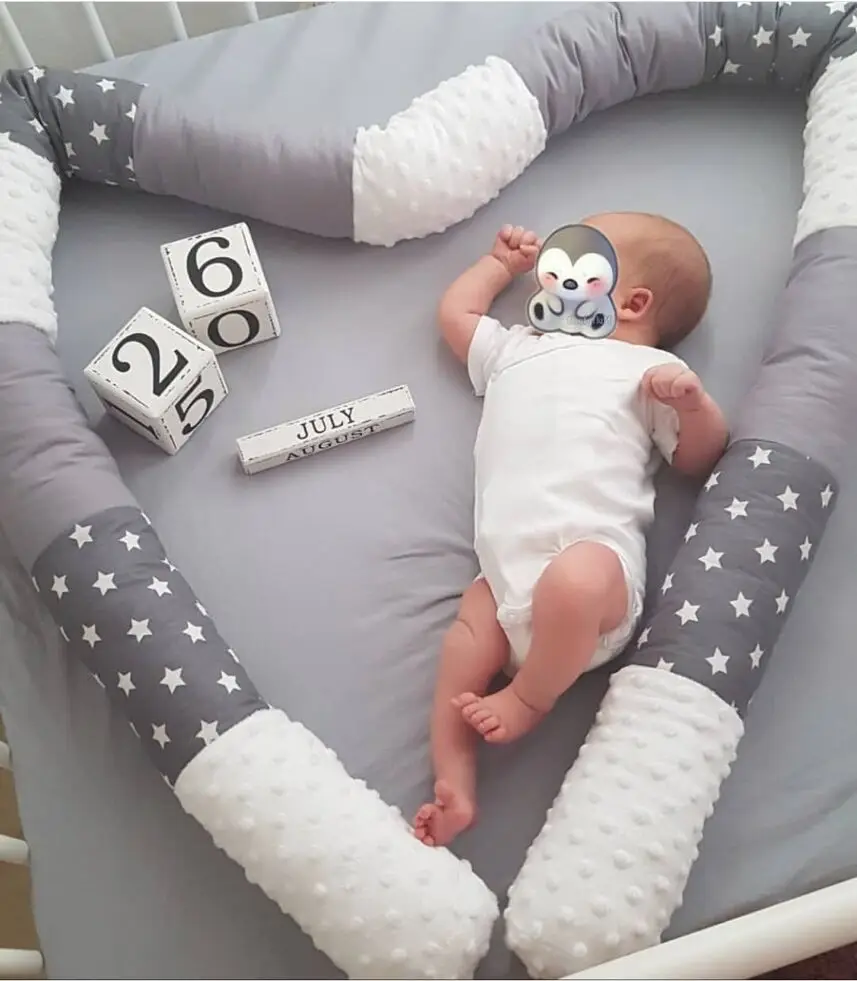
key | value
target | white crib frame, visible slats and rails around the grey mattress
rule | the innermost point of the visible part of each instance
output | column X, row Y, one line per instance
column 739, row 948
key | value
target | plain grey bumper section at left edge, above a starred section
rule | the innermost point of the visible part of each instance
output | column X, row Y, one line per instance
column 53, row 468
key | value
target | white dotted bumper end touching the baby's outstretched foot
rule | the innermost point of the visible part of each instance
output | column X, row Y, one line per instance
column 334, row 856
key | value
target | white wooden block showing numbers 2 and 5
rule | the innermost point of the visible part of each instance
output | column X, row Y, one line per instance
column 157, row 379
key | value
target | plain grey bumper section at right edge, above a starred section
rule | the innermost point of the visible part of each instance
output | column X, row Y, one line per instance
column 807, row 391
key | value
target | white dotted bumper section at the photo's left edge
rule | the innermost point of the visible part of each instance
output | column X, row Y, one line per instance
column 29, row 218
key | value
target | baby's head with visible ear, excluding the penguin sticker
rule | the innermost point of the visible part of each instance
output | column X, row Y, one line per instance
column 664, row 277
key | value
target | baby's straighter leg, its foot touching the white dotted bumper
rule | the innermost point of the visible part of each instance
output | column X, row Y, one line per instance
column 473, row 651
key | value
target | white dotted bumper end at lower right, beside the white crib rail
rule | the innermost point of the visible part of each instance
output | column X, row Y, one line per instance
column 608, row 870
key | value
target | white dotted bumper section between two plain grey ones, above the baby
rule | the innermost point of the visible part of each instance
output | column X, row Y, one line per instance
column 450, row 152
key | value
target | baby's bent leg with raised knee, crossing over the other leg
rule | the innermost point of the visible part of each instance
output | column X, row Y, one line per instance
column 579, row 597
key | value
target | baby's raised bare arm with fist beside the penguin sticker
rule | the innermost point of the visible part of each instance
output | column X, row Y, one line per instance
column 471, row 295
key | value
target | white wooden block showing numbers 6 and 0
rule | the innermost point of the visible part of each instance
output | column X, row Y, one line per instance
column 220, row 290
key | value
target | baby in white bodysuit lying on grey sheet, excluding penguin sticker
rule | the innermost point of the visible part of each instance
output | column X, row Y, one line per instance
column 564, row 487
